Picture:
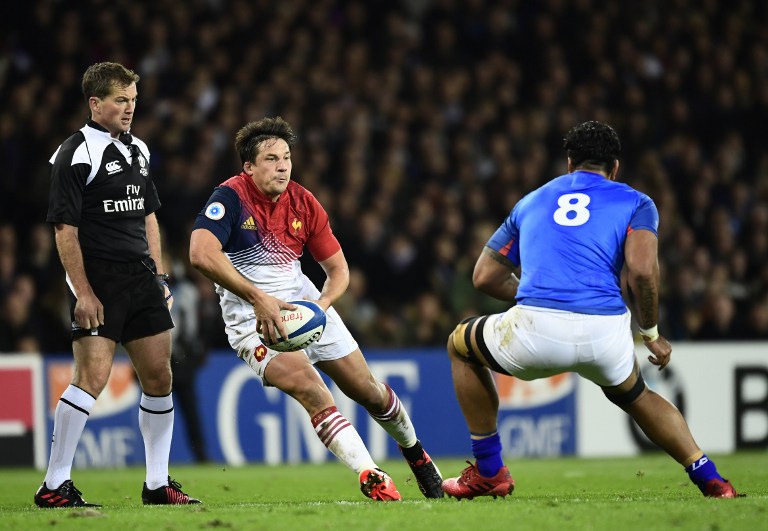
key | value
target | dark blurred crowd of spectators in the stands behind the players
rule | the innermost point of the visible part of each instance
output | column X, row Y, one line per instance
column 420, row 123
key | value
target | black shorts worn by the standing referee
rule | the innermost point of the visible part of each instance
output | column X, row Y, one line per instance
column 132, row 296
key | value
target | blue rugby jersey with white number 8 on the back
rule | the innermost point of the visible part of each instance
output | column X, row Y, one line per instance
column 568, row 237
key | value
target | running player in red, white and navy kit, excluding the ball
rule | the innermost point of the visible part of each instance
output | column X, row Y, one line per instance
column 248, row 239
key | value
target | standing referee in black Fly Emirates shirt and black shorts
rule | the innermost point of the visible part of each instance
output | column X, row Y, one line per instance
column 102, row 204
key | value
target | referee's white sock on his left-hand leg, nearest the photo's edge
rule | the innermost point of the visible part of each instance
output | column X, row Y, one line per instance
column 68, row 423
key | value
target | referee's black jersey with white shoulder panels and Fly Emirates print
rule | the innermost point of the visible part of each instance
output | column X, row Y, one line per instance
column 104, row 188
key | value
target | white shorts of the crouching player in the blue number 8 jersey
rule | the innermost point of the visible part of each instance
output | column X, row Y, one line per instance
column 532, row 342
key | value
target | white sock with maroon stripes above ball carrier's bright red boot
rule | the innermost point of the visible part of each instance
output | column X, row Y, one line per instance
column 342, row 439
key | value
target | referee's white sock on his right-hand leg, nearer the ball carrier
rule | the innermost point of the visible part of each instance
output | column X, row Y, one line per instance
column 156, row 425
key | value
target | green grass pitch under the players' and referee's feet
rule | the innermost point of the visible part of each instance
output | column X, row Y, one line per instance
column 645, row 493
